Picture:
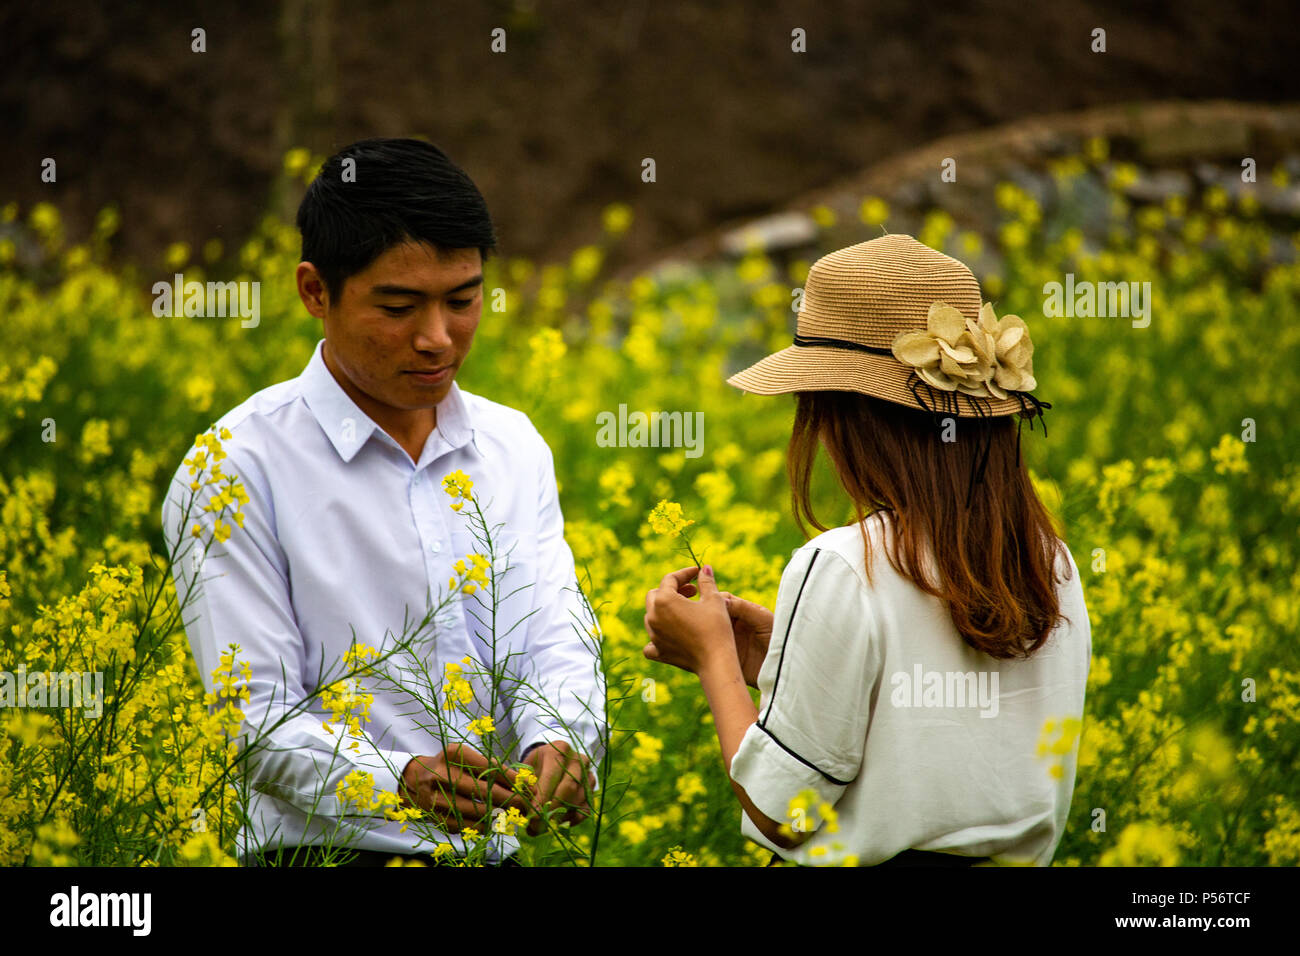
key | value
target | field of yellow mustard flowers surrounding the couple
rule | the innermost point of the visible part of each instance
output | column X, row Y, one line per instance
column 1171, row 465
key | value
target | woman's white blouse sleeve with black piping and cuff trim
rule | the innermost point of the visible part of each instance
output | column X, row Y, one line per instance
column 816, row 685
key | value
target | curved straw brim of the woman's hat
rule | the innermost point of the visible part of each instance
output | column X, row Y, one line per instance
column 822, row 369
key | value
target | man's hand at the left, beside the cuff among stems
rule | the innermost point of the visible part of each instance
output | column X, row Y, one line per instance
column 460, row 788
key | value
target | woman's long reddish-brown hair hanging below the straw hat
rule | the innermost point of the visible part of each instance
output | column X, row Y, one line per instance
column 994, row 559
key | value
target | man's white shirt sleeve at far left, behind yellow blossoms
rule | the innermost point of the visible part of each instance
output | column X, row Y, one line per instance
column 237, row 592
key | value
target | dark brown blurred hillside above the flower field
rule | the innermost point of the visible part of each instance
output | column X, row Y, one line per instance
column 189, row 145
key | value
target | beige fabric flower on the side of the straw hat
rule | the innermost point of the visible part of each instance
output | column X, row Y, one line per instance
column 986, row 360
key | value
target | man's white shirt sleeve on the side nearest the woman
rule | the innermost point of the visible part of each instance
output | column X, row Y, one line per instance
column 566, row 697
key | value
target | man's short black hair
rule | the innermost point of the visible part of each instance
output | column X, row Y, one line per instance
column 405, row 191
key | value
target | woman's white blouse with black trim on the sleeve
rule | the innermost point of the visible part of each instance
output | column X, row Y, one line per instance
column 872, row 700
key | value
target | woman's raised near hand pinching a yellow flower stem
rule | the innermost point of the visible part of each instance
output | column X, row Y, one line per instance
column 683, row 633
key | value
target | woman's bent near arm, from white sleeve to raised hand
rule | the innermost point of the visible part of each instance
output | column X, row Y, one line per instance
column 830, row 671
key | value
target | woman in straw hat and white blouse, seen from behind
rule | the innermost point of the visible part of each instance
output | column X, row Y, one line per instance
column 921, row 664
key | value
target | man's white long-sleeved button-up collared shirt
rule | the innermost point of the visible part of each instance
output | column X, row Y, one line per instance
column 344, row 538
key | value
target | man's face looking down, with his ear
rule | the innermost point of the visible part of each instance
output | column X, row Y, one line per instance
column 404, row 326
